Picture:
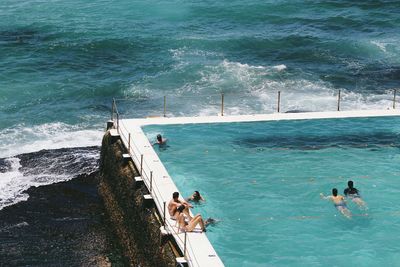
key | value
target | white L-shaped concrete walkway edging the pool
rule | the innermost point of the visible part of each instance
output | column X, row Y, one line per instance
column 199, row 251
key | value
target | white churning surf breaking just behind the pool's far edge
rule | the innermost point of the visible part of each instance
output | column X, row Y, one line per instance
column 248, row 89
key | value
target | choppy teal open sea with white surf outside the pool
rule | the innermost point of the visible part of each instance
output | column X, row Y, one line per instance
column 62, row 63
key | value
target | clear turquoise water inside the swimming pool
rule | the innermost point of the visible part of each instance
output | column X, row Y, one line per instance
column 262, row 180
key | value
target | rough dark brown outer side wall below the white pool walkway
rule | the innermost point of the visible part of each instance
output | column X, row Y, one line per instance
column 136, row 225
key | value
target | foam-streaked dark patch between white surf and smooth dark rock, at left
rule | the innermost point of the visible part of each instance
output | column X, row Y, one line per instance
column 42, row 168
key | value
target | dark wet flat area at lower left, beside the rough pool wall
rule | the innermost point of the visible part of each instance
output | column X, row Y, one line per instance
column 62, row 224
